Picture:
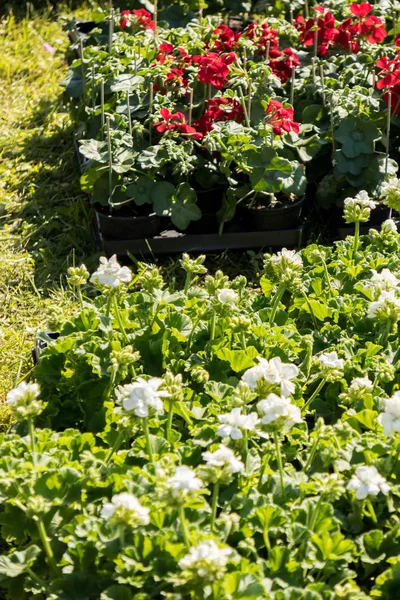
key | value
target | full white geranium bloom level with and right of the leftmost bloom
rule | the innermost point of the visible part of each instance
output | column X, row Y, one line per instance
column 140, row 396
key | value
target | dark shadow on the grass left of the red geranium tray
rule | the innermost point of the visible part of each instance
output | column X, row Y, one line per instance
column 54, row 217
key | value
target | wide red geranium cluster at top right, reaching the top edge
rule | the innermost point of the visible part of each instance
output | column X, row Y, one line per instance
column 346, row 34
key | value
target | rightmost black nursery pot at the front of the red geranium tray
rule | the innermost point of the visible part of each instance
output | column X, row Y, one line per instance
column 287, row 216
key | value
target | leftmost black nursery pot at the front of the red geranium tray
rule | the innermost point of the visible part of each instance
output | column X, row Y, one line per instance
column 114, row 227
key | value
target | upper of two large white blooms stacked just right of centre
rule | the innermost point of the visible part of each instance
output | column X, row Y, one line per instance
column 273, row 371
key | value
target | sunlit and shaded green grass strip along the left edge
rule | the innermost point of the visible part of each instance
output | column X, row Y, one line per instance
column 43, row 214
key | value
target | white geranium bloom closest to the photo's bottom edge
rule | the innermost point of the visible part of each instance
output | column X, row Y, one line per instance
column 206, row 560
